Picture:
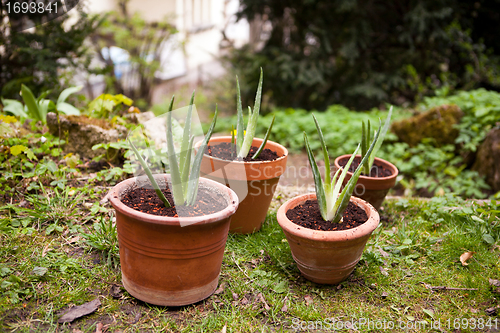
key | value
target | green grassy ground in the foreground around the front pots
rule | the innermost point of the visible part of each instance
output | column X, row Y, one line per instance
column 417, row 245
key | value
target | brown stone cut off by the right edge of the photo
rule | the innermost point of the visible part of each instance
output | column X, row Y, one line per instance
column 488, row 159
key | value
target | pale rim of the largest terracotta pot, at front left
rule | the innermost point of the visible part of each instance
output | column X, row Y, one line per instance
column 114, row 197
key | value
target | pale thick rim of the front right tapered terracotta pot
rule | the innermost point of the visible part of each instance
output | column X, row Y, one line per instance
column 327, row 236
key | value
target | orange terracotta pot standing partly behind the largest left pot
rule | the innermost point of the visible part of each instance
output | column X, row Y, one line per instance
column 253, row 182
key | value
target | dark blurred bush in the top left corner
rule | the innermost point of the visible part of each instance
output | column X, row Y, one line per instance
column 38, row 57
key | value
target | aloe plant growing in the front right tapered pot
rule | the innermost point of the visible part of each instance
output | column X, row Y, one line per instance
column 332, row 201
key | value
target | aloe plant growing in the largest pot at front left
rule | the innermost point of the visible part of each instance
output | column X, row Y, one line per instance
column 184, row 170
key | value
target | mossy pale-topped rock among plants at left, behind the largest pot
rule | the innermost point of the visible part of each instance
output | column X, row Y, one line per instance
column 81, row 133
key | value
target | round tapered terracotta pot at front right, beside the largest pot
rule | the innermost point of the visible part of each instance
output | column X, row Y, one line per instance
column 326, row 257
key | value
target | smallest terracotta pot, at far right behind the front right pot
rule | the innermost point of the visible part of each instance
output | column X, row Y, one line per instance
column 371, row 189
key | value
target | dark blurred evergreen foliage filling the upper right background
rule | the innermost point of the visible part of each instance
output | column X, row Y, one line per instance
column 363, row 53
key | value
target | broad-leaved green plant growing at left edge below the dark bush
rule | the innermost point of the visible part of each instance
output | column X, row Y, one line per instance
column 37, row 108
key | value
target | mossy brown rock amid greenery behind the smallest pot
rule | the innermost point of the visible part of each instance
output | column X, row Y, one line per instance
column 437, row 123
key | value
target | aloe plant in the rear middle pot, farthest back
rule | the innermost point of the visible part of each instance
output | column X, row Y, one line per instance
column 244, row 138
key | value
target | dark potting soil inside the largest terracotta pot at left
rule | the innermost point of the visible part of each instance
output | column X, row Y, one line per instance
column 145, row 200
